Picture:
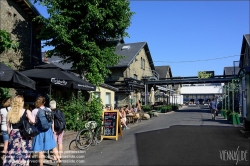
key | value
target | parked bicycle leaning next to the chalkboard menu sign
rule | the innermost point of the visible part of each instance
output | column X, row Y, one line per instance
column 91, row 134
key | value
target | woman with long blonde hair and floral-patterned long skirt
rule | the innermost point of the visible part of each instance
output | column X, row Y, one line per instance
column 19, row 147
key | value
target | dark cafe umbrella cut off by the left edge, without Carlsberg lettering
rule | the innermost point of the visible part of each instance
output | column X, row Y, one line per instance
column 10, row 78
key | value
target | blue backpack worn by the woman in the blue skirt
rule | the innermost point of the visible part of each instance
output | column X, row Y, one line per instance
column 45, row 119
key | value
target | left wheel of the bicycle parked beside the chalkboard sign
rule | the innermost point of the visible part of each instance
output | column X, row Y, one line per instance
column 83, row 139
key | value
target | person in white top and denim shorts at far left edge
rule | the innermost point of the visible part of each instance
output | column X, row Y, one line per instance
column 6, row 103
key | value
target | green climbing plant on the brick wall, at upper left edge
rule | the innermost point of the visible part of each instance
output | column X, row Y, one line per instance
column 6, row 43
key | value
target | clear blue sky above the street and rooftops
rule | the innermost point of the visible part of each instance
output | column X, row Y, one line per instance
column 189, row 36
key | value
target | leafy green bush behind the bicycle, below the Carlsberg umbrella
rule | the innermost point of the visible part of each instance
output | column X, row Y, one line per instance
column 77, row 111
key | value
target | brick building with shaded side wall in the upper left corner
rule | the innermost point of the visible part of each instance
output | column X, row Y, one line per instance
column 16, row 18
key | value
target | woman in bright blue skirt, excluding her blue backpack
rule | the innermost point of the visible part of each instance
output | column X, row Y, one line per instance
column 44, row 141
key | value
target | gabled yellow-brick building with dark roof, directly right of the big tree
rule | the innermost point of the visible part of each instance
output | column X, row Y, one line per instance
column 129, row 73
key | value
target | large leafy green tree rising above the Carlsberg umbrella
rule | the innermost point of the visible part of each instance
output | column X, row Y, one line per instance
column 78, row 31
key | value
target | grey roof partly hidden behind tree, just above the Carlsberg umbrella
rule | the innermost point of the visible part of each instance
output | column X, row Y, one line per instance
column 56, row 60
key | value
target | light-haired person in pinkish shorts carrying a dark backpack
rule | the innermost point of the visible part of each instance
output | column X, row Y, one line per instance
column 58, row 128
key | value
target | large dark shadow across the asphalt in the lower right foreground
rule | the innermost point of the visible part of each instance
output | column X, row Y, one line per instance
column 192, row 145
